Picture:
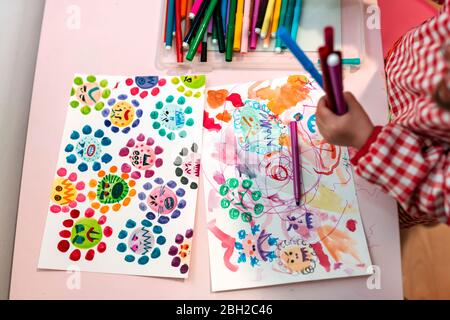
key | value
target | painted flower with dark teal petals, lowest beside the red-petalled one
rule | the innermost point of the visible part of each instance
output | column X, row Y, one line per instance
column 140, row 243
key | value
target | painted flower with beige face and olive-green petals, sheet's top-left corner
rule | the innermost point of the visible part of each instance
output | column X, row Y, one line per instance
column 87, row 94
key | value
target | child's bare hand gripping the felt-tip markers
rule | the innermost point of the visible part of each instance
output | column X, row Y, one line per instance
column 352, row 129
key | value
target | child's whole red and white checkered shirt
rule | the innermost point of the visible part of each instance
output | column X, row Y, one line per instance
column 410, row 157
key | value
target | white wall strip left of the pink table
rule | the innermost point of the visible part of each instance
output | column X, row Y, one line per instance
column 20, row 25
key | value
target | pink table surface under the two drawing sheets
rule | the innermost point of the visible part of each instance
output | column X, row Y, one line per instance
column 119, row 37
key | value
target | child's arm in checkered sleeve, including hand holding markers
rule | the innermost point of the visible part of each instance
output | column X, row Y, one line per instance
column 415, row 173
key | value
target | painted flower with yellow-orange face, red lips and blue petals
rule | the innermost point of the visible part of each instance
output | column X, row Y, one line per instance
column 122, row 114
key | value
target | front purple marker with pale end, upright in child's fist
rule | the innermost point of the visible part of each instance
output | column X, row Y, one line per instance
column 335, row 70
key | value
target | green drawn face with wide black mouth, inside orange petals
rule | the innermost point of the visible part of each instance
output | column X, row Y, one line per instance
column 112, row 189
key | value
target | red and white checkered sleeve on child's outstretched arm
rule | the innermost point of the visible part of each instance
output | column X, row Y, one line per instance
column 412, row 170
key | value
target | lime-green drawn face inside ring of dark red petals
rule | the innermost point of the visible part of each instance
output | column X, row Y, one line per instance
column 86, row 233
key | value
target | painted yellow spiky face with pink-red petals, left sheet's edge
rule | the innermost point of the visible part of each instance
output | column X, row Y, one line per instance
column 66, row 191
